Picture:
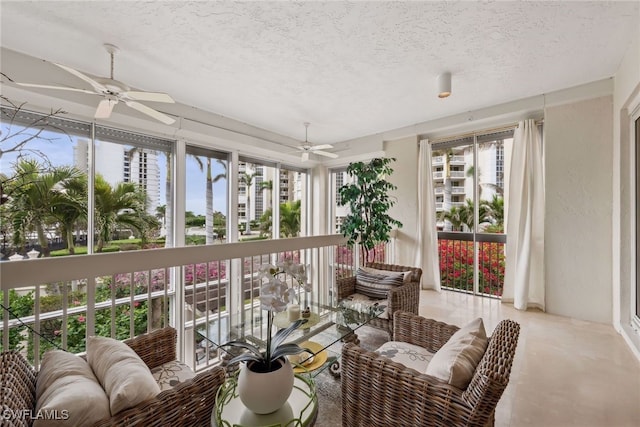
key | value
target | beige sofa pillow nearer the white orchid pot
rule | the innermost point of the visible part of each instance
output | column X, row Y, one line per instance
column 124, row 376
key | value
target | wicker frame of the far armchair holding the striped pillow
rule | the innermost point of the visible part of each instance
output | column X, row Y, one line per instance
column 403, row 298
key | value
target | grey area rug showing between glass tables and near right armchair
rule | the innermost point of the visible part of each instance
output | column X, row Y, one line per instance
column 329, row 388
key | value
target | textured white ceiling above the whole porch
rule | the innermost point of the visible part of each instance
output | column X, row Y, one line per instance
column 351, row 69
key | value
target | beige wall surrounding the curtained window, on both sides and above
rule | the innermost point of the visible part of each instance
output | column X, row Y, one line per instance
column 578, row 143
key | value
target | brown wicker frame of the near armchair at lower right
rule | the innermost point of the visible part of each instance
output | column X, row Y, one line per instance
column 379, row 392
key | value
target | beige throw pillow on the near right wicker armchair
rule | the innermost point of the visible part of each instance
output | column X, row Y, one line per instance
column 456, row 361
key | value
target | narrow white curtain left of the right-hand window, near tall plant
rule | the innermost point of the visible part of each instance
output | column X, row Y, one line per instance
column 427, row 254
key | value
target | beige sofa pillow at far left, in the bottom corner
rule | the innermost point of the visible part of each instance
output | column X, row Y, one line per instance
column 68, row 392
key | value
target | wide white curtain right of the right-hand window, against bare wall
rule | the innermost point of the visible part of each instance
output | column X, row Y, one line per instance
column 524, row 275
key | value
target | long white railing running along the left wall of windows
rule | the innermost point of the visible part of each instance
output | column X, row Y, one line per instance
column 58, row 302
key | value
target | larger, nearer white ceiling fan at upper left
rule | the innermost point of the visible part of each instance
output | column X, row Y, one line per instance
column 113, row 92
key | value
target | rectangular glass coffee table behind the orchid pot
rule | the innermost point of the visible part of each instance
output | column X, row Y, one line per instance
column 326, row 329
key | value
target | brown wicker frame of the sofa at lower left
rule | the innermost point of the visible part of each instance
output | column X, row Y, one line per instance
column 189, row 403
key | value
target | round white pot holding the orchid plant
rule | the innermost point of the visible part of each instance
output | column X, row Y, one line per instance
column 265, row 392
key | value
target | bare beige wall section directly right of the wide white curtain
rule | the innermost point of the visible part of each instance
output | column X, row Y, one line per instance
column 578, row 179
